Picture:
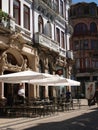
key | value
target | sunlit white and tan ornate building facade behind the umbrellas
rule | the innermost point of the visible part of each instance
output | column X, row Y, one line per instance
column 34, row 35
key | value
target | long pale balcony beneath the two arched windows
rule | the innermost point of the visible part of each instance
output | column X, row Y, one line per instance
column 46, row 42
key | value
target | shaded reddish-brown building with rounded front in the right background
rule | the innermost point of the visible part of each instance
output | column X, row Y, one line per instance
column 84, row 42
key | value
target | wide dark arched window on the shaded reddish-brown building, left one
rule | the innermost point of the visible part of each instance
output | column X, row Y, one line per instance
column 80, row 28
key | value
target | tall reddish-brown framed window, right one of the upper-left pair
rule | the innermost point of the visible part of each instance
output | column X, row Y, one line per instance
column 26, row 17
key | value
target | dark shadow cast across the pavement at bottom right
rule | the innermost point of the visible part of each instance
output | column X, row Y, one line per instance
column 87, row 121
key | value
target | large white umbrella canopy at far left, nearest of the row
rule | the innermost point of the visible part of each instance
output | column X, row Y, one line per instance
column 23, row 76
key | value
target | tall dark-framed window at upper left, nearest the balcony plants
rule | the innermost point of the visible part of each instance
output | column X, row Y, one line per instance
column 16, row 11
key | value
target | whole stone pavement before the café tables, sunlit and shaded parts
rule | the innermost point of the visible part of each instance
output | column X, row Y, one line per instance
column 68, row 120
